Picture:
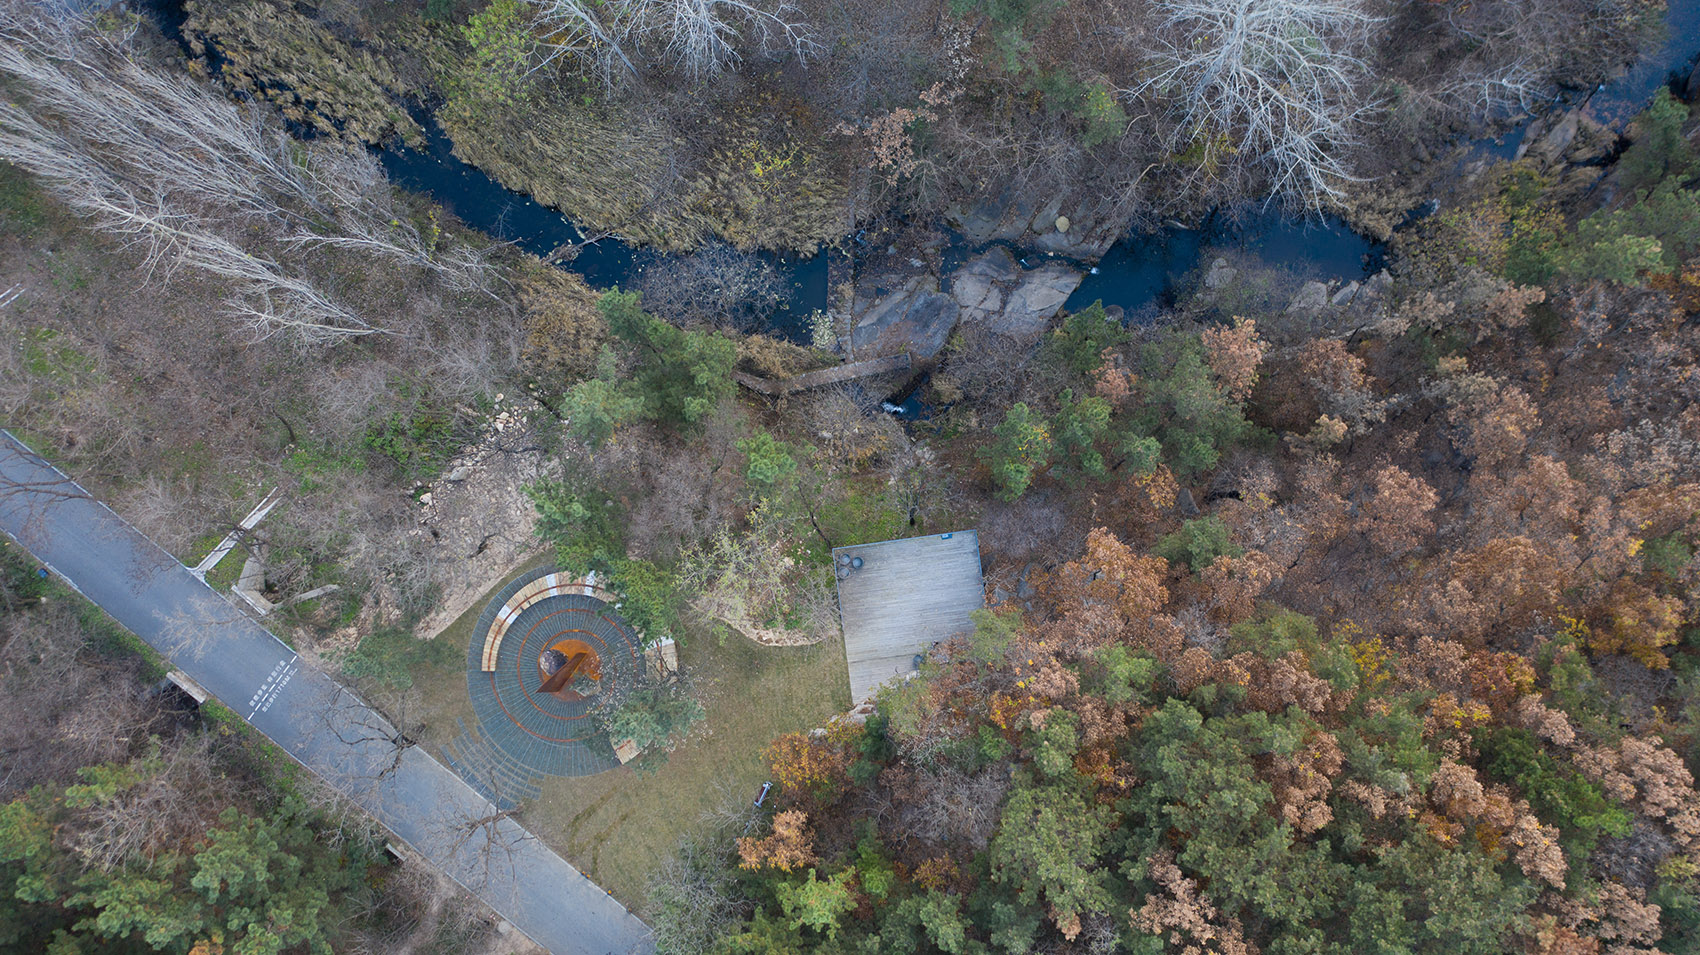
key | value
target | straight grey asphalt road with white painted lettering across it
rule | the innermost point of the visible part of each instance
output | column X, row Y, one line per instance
column 305, row 713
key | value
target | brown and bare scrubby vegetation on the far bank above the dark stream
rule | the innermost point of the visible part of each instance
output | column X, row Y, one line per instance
column 825, row 118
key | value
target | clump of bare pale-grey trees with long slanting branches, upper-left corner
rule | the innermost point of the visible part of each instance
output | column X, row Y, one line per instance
column 191, row 179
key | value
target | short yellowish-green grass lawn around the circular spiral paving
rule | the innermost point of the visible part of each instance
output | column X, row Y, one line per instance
column 618, row 827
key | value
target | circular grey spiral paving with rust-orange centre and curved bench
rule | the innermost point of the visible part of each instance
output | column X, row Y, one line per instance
column 535, row 720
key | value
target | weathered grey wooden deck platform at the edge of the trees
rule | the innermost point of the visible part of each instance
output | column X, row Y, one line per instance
column 905, row 597
